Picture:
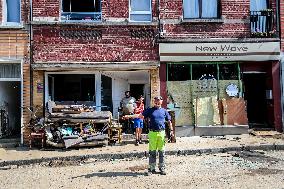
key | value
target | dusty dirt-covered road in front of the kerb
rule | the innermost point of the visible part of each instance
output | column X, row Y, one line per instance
column 256, row 169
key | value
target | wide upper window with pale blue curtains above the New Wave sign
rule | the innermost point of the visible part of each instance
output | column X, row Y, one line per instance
column 201, row 9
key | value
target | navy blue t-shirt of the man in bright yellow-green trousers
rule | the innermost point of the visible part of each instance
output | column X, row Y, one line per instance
column 158, row 117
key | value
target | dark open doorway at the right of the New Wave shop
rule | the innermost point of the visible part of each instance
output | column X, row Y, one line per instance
column 255, row 96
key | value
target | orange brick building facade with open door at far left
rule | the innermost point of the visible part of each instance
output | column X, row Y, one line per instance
column 14, row 65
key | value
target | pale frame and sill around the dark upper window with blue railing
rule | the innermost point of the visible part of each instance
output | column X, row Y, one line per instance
column 83, row 20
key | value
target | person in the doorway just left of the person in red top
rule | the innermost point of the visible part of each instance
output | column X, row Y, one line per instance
column 127, row 106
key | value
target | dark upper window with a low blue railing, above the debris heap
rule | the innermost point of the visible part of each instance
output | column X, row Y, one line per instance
column 81, row 10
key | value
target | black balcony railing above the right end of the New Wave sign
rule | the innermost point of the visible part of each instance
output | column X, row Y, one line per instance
column 262, row 24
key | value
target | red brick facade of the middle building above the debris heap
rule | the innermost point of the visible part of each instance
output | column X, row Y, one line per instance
column 110, row 48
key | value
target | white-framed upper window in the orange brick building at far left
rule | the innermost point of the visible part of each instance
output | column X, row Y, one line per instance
column 11, row 11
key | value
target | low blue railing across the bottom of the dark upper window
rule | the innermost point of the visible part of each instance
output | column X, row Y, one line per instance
column 81, row 16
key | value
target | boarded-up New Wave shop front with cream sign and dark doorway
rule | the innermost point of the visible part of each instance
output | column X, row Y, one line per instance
column 221, row 88
